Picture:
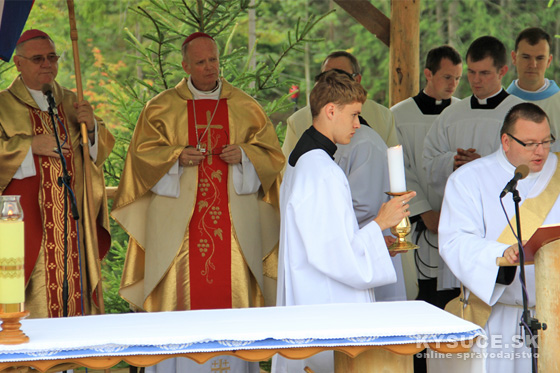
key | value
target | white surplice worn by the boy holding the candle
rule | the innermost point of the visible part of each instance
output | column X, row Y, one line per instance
column 324, row 256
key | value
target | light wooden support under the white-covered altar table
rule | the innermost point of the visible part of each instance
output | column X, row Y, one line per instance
column 373, row 361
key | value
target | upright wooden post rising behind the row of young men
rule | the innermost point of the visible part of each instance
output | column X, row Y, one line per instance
column 405, row 50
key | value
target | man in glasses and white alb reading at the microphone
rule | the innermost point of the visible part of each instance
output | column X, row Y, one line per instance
column 474, row 230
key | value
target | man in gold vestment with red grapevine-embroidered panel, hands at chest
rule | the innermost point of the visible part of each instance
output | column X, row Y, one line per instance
column 199, row 193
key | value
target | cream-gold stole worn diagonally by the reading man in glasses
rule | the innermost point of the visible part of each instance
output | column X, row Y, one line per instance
column 534, row 211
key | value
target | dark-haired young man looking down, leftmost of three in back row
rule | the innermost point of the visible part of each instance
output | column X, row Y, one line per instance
column 413, row 118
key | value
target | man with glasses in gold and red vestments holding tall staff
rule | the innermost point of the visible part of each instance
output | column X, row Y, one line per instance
column 31, row 166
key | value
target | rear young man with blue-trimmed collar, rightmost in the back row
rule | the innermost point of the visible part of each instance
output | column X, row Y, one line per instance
column 532, row 58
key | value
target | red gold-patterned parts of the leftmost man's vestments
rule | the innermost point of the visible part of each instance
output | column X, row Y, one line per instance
column 43, row 208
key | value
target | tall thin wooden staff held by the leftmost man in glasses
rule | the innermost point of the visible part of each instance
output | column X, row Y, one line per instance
column 87, row 166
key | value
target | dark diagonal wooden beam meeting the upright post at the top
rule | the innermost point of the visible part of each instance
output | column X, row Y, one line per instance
column 368, row 16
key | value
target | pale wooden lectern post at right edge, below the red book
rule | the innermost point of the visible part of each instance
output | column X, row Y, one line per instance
column 547, row 283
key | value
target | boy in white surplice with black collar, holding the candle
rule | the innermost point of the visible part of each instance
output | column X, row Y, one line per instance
column 324, row 256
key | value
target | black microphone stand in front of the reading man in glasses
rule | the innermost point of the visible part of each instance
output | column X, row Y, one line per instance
column 527, row 322
